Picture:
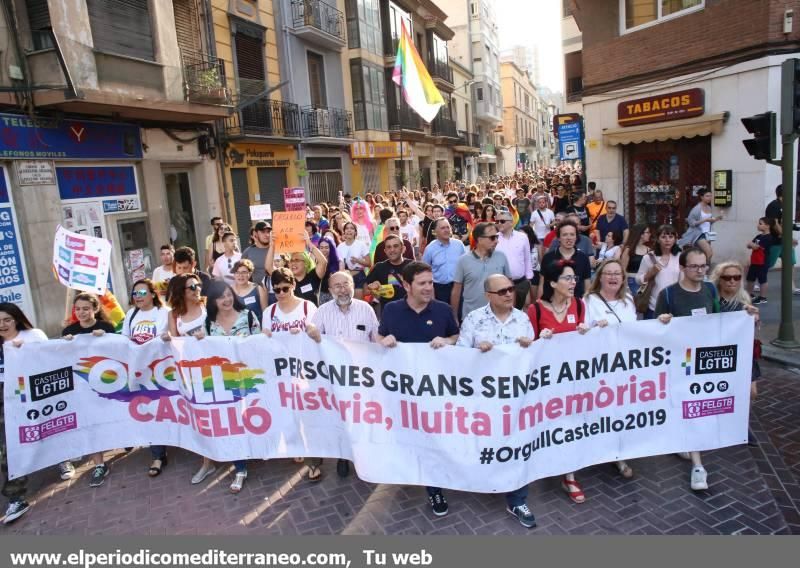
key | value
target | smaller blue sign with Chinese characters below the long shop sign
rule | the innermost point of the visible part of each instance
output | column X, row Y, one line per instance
column 95, row 182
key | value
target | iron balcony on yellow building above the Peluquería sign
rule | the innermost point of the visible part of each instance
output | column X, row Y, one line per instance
column 265, row 118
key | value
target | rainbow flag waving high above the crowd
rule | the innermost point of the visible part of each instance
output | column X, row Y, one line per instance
column 410, row 74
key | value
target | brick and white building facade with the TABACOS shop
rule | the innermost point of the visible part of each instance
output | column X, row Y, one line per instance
column 666, row 123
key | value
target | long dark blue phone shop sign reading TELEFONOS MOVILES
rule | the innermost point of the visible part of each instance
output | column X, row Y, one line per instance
column 25, row 137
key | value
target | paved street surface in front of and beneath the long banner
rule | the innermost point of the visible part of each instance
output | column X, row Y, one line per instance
column 751, row 491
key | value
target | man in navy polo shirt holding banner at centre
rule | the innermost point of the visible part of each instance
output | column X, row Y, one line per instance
column 419, row 318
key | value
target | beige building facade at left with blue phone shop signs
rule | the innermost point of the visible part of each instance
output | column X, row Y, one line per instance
column 107, row 127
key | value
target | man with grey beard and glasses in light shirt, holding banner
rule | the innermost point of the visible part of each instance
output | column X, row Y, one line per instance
column 344, row 317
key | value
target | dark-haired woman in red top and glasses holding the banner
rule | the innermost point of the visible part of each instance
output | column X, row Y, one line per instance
column 559, row 311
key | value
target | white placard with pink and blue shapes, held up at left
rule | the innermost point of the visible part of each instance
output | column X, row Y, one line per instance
column 81, row 262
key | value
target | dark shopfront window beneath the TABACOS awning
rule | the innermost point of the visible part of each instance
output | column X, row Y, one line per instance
column 661, row 179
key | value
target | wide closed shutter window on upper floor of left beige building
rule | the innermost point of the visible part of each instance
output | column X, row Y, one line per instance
column 122, row 27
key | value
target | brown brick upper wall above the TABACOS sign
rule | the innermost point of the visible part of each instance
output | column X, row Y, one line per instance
column 725, row 31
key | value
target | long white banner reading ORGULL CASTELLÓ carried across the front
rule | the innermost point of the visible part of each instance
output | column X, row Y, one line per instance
column 453, row 417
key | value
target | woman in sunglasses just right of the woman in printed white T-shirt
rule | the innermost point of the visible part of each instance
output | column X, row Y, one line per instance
column 188, row 318
